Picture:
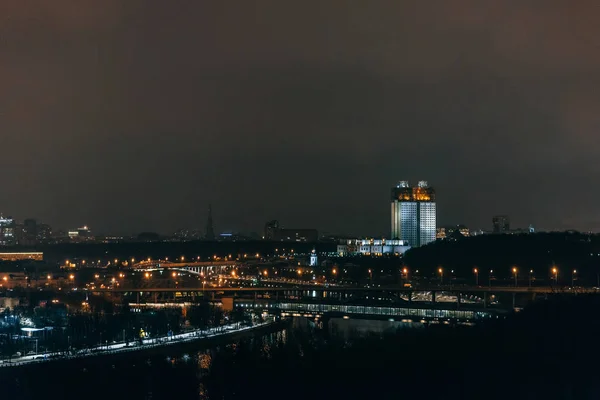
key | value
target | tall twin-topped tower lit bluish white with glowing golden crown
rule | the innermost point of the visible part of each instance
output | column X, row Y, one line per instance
column 413, row 213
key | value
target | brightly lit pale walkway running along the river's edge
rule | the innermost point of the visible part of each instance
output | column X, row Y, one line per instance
column 133, row 346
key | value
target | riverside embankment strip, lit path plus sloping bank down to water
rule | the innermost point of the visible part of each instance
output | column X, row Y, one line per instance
column 208, row 337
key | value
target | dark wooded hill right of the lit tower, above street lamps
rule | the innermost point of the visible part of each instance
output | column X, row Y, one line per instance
column 538, row 252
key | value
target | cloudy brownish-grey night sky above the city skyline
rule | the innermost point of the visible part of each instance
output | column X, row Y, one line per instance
column 133, row 115
